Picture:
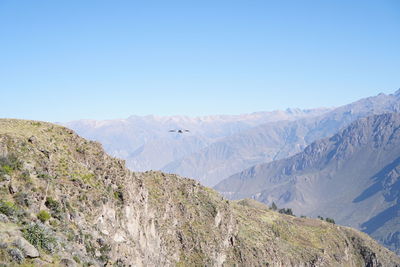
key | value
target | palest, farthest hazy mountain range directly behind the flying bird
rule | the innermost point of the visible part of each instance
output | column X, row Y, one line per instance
column 146, row 143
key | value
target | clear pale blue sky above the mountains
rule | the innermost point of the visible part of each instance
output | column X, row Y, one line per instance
column 66, row 60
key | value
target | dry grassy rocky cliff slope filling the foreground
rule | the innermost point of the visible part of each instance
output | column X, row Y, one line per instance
column 65, row 202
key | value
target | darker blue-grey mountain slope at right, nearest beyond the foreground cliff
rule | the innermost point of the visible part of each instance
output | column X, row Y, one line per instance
column 353, row 176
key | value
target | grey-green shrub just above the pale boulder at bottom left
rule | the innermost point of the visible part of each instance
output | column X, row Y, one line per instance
column 40, row 237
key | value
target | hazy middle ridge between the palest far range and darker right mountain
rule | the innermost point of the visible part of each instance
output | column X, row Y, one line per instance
column 274, row 140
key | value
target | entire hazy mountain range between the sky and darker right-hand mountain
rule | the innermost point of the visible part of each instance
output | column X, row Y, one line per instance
column 219, row 146
